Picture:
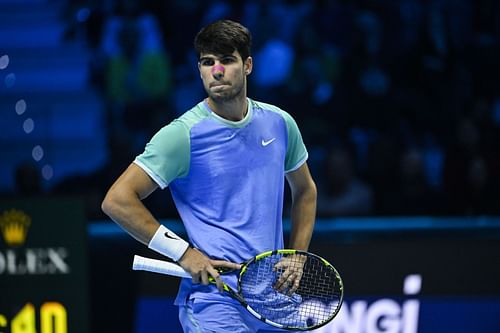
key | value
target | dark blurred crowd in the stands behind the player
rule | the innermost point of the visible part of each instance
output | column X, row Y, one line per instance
column 398, row 101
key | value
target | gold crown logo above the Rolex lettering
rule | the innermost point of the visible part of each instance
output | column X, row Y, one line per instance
column 14, row 226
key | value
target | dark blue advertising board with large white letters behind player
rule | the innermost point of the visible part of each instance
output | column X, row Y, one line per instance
column 432, row 281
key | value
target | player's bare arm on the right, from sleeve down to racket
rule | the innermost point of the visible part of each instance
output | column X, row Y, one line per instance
column 303, row 211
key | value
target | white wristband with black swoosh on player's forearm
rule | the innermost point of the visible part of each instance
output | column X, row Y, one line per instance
column 166, row 242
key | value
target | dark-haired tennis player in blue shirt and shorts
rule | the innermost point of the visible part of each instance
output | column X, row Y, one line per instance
column 225, row 161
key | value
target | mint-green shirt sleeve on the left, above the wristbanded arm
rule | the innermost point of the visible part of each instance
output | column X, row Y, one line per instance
column 166, row 157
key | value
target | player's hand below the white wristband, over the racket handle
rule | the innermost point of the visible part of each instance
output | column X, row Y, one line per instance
column 201, row 267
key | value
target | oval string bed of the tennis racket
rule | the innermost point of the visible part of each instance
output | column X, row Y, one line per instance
column 315, row 301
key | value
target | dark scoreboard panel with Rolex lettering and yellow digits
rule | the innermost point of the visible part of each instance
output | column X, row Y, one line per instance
column 43, row 266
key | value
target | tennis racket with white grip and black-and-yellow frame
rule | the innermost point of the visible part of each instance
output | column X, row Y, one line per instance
column 312, row 299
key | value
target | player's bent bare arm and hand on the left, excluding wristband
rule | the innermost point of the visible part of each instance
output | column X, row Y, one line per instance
column 123, row 204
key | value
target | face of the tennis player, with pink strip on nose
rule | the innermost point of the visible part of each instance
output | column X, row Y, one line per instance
column 224, row 76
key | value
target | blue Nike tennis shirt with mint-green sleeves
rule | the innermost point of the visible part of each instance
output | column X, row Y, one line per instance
column 226, row 179
